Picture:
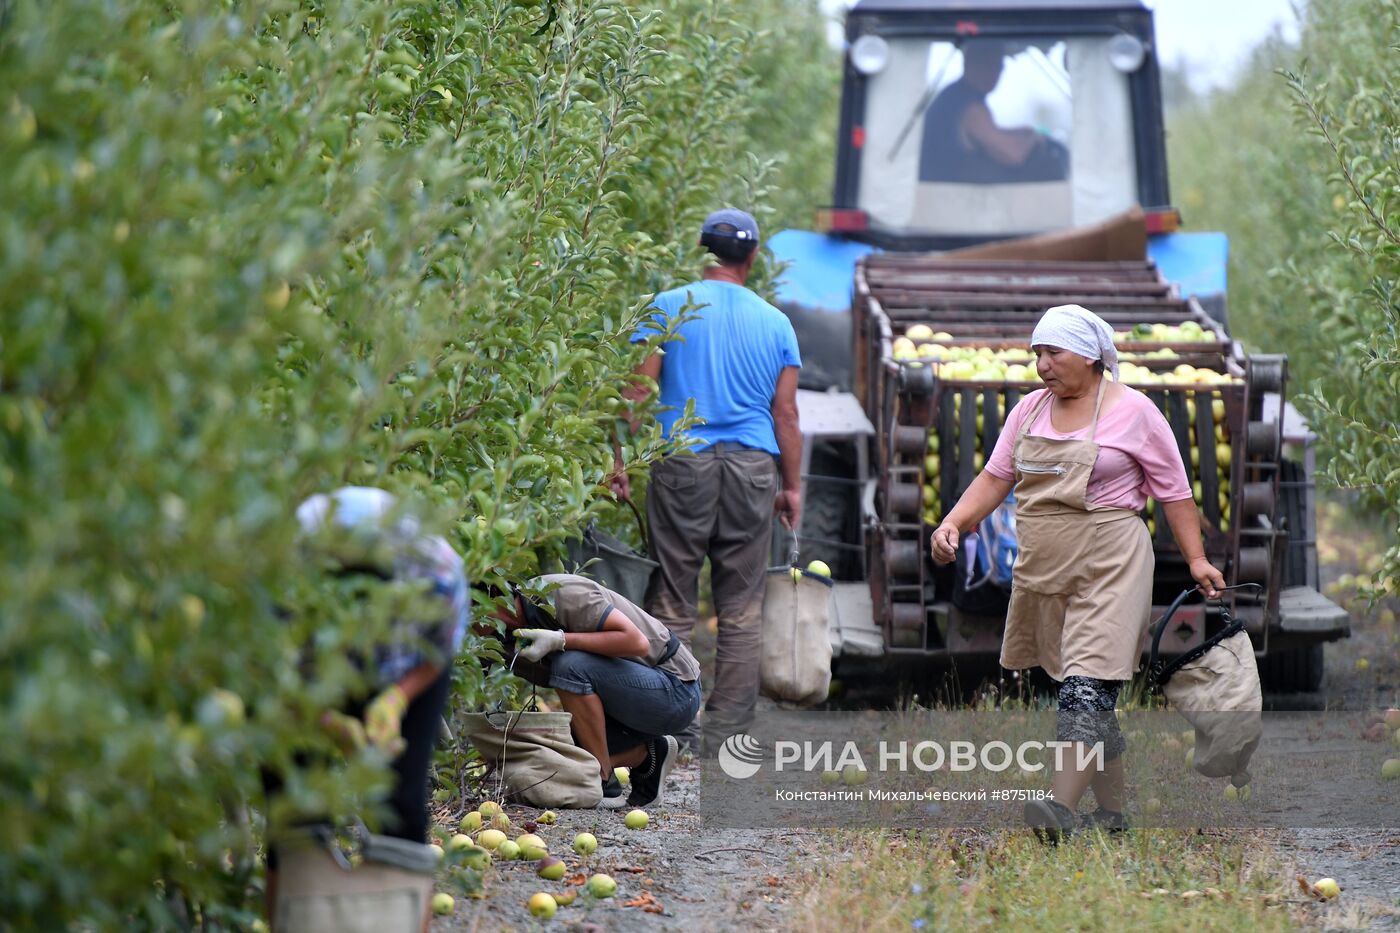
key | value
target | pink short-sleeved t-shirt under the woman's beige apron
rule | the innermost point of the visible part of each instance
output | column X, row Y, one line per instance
column 1137, row 452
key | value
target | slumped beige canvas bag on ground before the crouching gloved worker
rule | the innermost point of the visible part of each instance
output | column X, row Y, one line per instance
column 537, row 757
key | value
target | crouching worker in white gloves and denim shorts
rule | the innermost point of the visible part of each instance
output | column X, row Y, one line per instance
column 626, row 680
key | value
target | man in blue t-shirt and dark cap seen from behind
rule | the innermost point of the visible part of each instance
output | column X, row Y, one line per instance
column 737, row 359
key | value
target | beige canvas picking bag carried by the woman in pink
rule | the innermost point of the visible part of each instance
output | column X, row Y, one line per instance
column 1216, row 687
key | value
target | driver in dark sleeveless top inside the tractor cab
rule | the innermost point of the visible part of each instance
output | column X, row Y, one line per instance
column 965, row 145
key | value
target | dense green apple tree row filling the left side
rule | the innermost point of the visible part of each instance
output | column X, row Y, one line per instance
column 254, row 251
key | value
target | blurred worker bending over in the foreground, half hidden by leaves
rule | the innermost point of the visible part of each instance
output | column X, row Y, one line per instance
column 362, row 536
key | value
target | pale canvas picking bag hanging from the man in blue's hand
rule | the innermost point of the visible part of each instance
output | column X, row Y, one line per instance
column 796, row 663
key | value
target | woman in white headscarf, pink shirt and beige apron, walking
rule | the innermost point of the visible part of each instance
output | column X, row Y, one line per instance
column 1083, row 456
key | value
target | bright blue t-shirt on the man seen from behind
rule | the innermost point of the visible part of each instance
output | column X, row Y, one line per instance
column 729, row 361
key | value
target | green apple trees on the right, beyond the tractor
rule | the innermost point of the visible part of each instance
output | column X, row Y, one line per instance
column 1298, row 163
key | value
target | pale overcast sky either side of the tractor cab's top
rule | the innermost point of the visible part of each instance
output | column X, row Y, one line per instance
column 1212, row 37
